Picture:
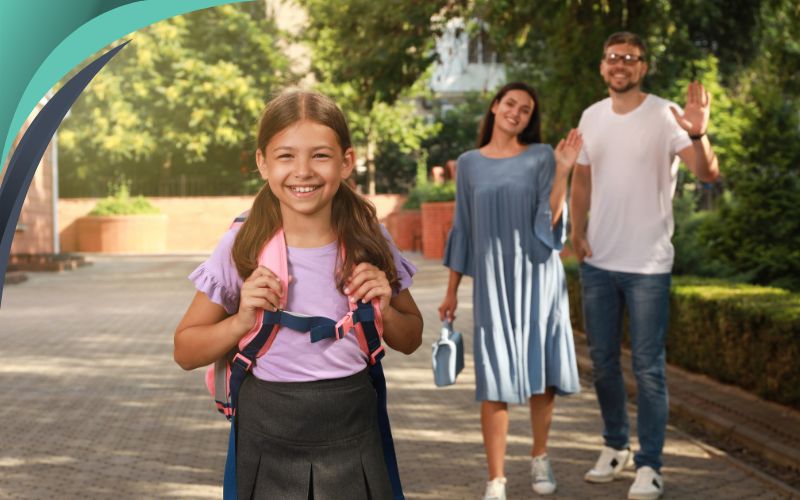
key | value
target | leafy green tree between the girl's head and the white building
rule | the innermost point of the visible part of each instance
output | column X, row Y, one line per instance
column 371, row 57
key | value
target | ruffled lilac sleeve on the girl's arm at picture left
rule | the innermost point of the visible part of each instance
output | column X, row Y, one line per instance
column 218, row 278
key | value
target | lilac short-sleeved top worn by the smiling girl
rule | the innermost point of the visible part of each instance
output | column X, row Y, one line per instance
column 292, row 357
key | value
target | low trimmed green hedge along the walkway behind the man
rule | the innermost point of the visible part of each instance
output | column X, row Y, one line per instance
column 736, row 333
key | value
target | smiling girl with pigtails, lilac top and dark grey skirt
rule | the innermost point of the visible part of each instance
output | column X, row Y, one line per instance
column 306, row 418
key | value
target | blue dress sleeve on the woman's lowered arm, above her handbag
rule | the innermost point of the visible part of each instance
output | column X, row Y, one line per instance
column 458, row 253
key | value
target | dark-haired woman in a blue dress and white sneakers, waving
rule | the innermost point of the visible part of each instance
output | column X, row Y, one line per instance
column 508, row 229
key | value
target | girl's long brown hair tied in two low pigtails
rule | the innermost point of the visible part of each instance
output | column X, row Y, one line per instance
column 353, row 217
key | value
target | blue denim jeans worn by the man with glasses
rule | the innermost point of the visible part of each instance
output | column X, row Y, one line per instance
column 646, row 297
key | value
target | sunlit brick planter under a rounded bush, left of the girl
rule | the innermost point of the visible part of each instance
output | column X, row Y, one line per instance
column 122, row 233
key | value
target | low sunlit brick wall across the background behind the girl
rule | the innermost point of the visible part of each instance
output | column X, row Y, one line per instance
column 195, row 223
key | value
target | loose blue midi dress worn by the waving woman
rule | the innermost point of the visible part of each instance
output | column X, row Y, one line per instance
column 502, row 237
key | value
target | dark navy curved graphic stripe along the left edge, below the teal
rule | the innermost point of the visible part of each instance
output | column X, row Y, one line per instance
column 30, row 150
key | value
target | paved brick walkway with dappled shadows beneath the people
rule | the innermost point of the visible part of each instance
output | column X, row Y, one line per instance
column 94, row 406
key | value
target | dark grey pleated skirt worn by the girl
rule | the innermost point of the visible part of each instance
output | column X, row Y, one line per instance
column 310, row 440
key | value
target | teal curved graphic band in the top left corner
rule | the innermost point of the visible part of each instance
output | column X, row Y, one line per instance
column 42, row 40
